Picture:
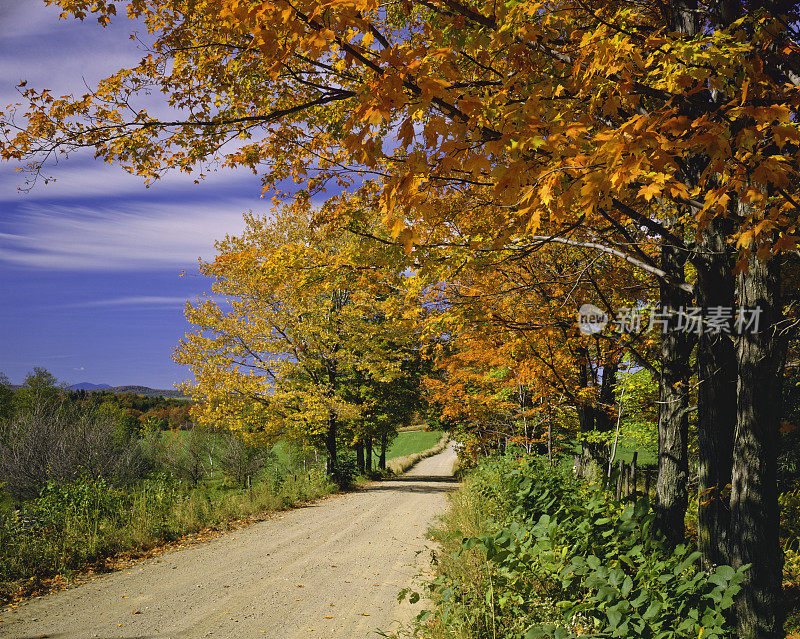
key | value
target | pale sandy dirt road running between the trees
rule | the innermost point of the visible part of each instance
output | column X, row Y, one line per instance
column 332, row 569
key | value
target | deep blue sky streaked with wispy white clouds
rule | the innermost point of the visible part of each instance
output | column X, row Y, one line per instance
column 90, row 265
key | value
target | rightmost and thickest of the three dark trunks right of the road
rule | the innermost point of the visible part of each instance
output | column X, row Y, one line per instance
column 754, row 495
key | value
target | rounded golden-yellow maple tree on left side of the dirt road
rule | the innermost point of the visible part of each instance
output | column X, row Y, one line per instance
column 291, row 332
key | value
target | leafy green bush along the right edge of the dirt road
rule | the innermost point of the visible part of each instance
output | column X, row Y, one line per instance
column 553, row 558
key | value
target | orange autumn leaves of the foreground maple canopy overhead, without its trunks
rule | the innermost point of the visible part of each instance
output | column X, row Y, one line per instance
column 473, row 129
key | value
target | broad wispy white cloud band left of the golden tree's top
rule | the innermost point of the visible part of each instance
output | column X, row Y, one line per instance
column 140, row 236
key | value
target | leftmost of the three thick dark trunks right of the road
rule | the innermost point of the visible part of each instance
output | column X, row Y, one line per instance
column 671, row 498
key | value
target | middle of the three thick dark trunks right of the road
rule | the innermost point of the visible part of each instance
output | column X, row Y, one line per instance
column 716, row 364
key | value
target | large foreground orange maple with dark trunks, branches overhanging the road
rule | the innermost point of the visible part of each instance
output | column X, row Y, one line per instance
column 512, row 125
